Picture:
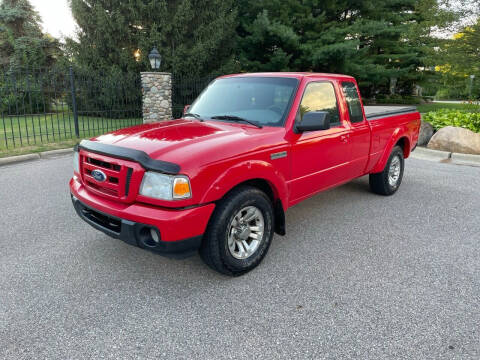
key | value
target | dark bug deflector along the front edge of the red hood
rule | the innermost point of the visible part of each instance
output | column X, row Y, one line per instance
column 130, row 154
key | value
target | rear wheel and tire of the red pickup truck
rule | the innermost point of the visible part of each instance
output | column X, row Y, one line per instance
column 388, row 181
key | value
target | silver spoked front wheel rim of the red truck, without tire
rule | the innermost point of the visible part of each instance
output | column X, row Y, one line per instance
column 245, row 232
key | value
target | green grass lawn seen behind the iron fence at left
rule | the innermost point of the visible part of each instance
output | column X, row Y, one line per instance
column 34, row 133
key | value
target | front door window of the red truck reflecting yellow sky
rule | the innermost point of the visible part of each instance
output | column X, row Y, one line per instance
column 320, row 96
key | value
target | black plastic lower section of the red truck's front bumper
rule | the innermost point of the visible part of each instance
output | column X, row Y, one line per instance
column 131, row 233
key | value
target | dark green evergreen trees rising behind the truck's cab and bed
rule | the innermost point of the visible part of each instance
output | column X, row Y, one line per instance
column 376, row 41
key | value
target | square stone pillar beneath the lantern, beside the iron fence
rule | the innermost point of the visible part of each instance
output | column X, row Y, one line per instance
column 157, row 96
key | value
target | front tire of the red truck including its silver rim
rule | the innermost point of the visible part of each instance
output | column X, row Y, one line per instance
column 239, row 233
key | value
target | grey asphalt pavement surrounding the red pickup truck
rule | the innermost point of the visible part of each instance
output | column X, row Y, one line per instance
column 358, row 276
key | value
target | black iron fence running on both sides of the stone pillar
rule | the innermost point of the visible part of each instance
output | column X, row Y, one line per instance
column 43, row 106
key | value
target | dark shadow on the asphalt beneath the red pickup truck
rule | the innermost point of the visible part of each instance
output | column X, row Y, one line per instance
column 144, row 265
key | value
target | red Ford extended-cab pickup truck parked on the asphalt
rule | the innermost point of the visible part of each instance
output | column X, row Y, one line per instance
column 220, row 179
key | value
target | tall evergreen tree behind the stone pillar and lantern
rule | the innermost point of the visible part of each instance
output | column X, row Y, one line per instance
column 196, row 39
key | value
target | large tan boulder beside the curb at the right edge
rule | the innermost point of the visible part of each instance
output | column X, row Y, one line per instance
column 455, row 139
